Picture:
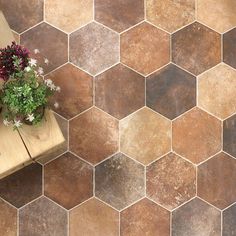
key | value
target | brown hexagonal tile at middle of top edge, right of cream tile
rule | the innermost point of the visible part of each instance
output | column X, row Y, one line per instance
column 119, row 15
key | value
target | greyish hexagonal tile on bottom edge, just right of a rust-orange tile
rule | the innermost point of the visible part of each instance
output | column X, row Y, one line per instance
column 202, row 219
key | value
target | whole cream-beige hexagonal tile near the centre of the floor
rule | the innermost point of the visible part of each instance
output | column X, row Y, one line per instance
column 145, row 135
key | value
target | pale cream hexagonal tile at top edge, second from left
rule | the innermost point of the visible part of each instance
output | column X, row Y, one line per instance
column 68, row 15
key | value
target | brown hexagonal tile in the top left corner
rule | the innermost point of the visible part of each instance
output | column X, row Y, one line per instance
column 23, row 15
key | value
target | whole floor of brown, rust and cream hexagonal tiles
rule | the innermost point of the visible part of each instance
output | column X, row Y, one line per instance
column 148, row 104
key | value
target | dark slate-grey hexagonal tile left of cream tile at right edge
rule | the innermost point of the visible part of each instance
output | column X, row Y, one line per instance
column 171, row 91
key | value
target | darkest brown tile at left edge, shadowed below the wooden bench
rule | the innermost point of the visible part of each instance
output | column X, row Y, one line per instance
column 23, row 186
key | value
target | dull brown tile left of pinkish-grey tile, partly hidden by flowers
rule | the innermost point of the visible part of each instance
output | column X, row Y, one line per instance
column 52, row 44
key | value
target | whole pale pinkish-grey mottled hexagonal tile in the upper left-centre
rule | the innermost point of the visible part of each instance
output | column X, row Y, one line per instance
column 94, row 48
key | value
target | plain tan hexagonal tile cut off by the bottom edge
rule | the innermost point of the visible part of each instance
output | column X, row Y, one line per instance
column 94, row 218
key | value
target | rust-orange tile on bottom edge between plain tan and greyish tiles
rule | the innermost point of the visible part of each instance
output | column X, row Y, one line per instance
column 145, row 218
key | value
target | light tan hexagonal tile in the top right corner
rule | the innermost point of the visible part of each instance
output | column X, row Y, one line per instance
column 222, row 18
